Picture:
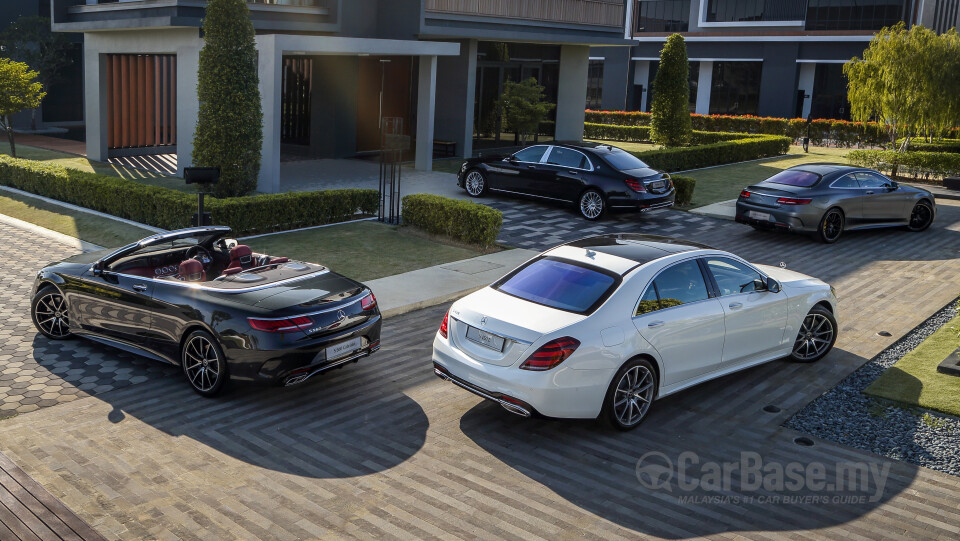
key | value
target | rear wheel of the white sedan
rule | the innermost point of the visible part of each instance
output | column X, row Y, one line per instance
column 630, row 395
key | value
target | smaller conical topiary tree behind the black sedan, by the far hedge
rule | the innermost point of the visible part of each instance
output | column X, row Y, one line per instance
column 670, row 124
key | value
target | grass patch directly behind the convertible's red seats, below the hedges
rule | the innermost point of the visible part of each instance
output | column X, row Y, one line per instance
column 362, row 250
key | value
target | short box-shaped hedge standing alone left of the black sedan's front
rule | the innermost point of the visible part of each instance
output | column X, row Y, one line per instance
column 460, row 220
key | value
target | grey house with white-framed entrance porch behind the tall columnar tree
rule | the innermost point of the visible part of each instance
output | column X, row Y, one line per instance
column 440, row 65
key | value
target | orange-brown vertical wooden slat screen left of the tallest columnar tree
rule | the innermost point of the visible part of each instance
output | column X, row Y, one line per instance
column 141, row 100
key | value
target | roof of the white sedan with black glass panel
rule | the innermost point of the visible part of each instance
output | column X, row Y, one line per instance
column 622, row 252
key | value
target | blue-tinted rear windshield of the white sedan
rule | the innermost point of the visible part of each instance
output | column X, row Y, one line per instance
column 560, row 284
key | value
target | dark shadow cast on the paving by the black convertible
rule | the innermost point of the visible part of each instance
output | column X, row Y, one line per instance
column 343, row 424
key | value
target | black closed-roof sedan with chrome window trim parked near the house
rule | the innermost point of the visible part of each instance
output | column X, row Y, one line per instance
column 595, row 177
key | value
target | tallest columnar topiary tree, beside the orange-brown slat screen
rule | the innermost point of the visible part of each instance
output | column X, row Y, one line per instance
column 229, row 131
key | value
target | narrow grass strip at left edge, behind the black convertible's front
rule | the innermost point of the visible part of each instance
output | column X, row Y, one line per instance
column 89, row 227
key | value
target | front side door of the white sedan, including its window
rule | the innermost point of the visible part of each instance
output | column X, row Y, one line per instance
column 754, row 317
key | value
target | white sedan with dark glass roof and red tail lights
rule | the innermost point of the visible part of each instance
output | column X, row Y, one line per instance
column 603, row 326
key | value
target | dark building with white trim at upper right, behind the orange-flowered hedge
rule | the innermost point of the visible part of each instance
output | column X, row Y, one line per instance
column 780, row 58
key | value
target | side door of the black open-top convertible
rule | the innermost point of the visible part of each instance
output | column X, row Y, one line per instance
column 116, row 306
